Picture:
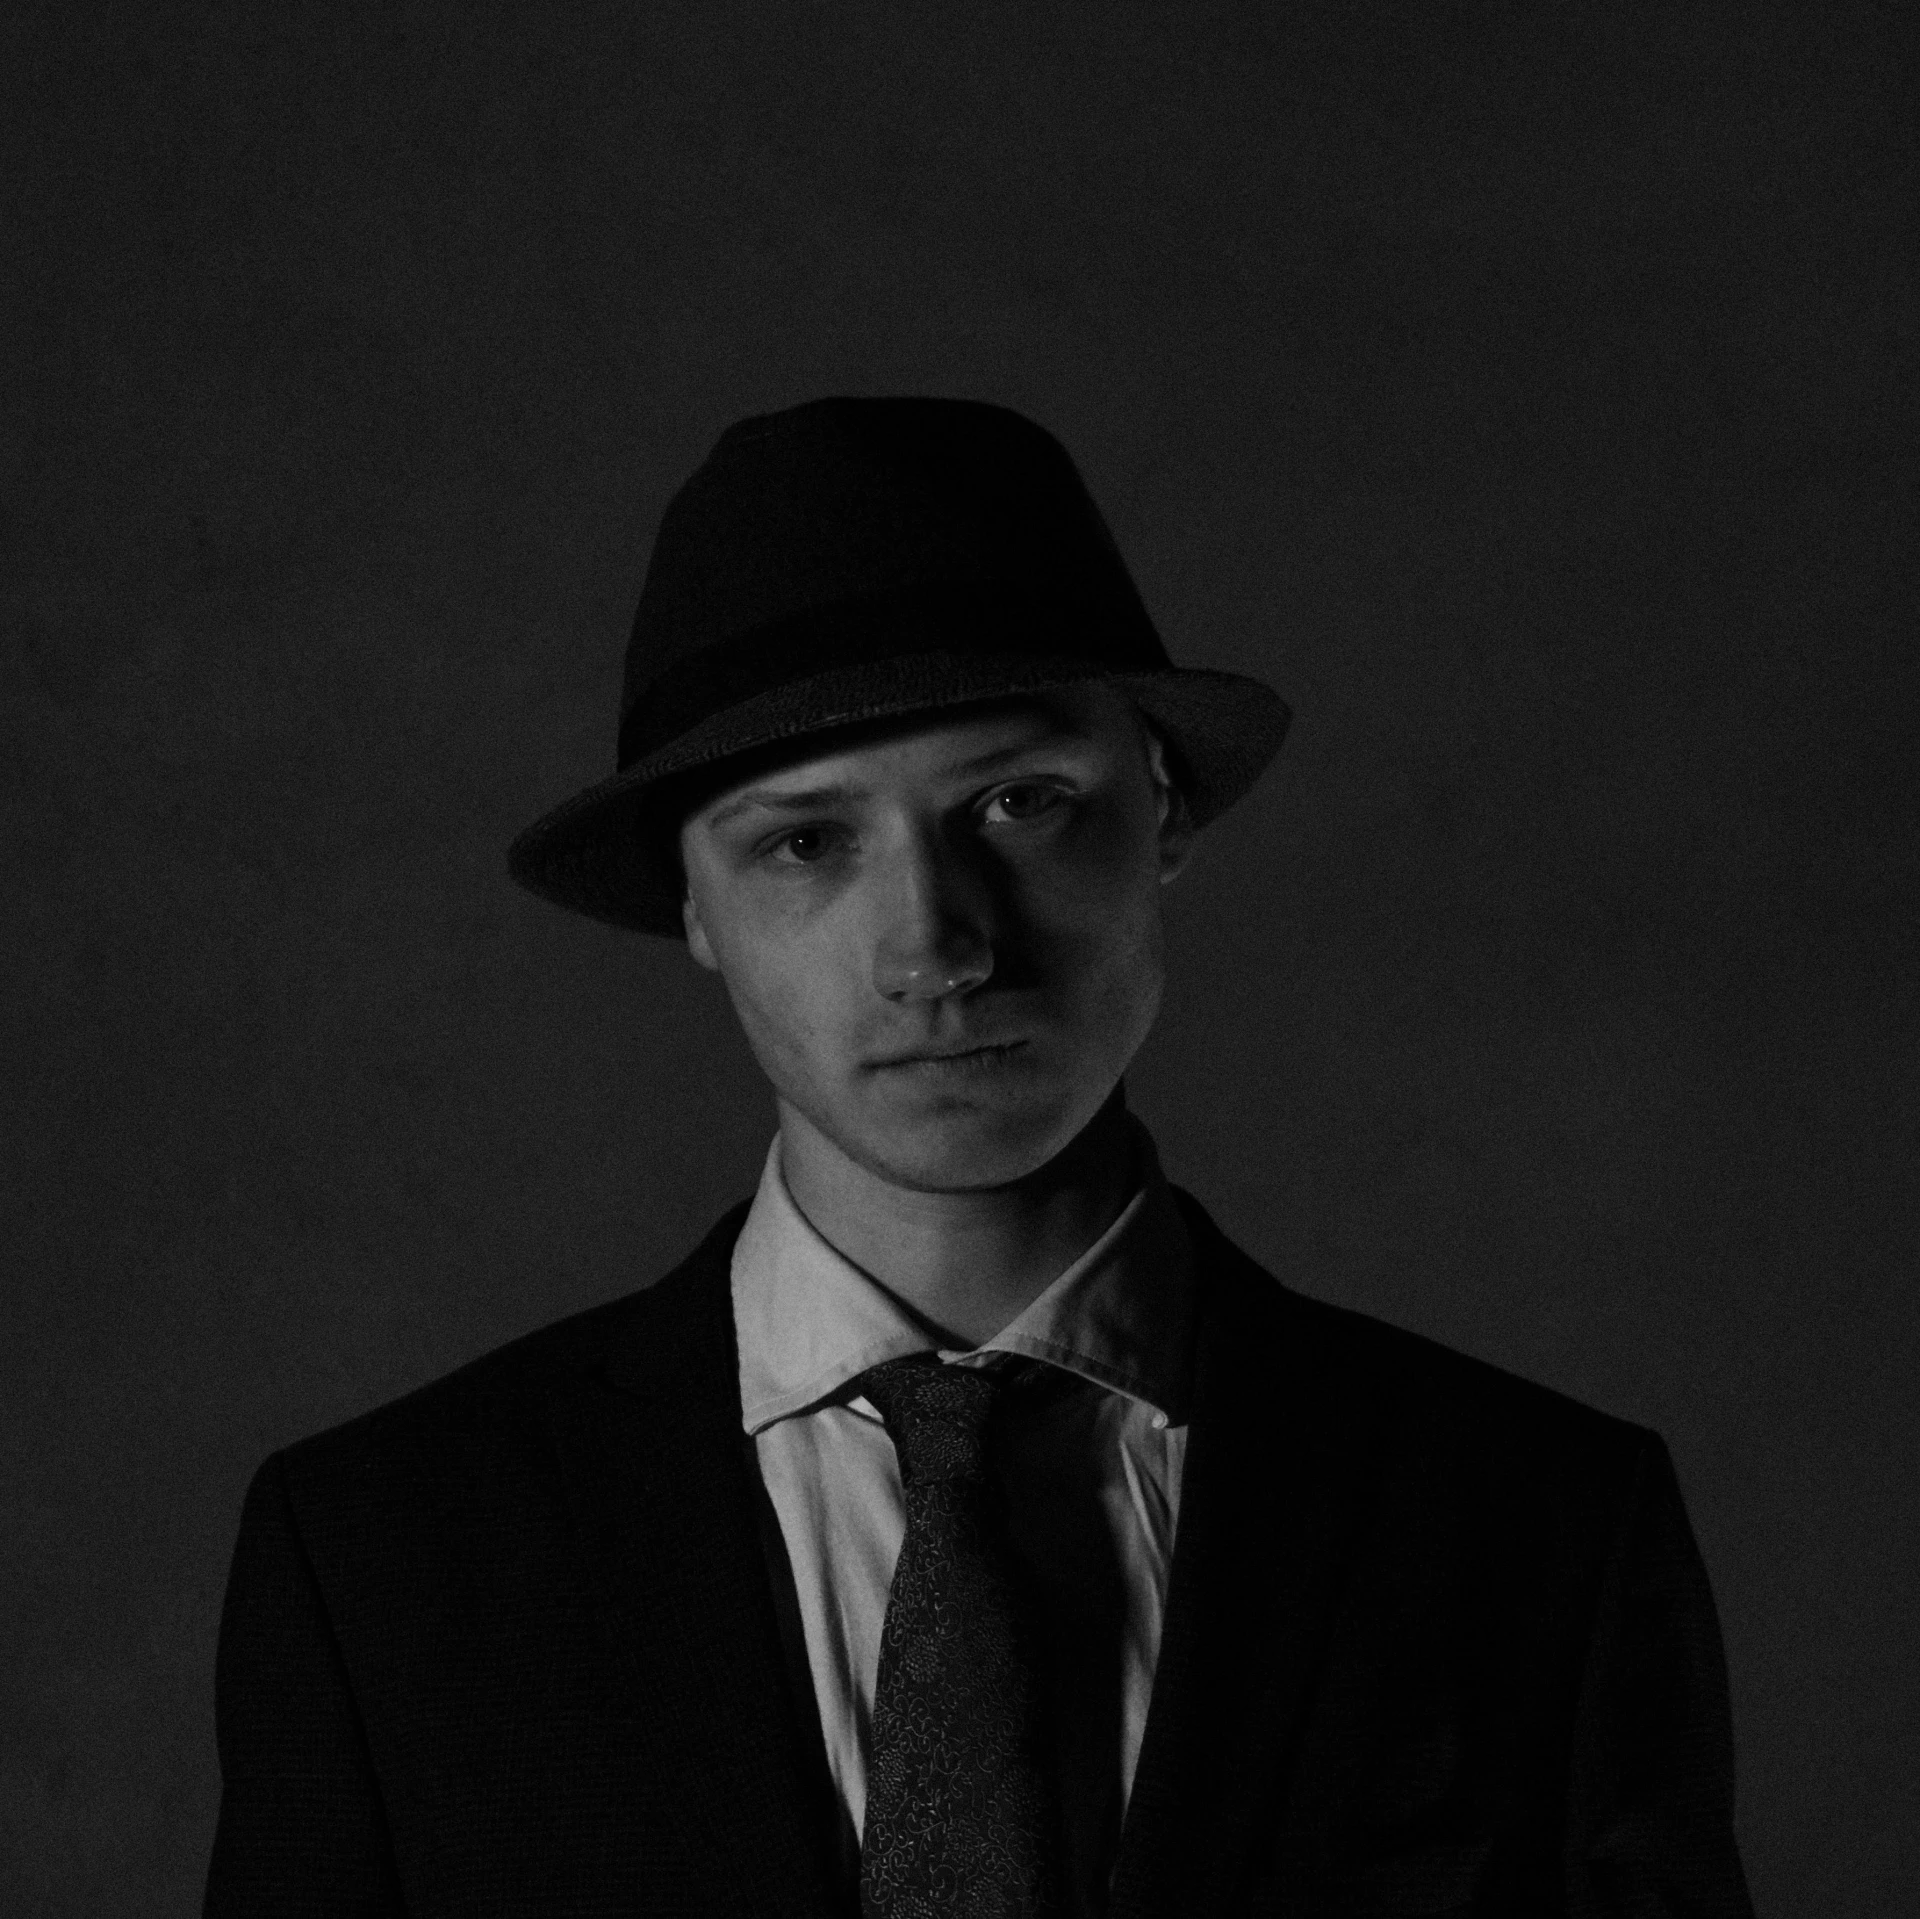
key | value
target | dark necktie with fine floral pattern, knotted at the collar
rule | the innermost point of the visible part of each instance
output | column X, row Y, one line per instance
column 961, row 1809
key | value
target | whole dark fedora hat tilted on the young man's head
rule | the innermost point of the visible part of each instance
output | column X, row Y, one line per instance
column 853, row 562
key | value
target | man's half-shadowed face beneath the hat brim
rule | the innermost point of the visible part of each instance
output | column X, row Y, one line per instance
column 946, row 944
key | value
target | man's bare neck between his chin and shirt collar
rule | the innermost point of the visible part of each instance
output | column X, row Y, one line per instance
column 965, row 1263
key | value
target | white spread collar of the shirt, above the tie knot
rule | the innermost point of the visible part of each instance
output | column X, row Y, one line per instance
column 809, row 1321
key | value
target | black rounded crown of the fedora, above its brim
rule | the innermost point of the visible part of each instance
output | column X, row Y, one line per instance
column 934, row 514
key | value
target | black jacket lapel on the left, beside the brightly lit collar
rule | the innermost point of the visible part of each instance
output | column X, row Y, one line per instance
column 665, row 1497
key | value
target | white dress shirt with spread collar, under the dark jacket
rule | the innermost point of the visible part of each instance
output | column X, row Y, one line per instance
column 1090, row 1449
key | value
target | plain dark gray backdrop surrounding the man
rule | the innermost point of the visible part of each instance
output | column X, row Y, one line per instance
column 1524, row 391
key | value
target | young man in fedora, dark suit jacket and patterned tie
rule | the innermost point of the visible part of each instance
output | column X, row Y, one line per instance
column 967, row 1526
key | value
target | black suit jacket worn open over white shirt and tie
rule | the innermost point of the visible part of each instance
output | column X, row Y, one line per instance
column 1437, row 1641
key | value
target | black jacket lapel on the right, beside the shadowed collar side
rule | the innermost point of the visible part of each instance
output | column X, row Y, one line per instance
column 1270, row 1507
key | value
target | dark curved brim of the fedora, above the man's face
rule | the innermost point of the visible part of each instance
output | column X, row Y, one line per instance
column 606, row 852
